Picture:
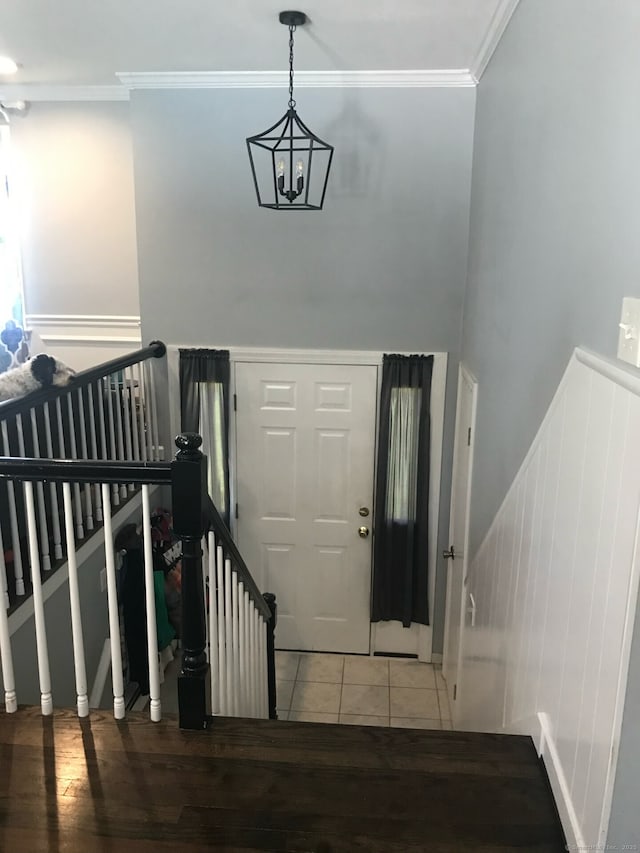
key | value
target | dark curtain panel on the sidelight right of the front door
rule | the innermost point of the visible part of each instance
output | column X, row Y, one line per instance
column 401, row 542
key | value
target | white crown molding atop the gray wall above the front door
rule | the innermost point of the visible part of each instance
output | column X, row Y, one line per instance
column 304, row 79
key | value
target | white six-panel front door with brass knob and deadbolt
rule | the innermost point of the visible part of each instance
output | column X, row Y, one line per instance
column 305, row 436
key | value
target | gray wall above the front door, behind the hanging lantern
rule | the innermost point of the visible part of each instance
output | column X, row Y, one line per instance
column 382, row 267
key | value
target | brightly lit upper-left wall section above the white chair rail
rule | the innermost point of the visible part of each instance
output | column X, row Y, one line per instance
column 75, row 175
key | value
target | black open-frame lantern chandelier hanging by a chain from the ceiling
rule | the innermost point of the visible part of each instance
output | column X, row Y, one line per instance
column 289, row 163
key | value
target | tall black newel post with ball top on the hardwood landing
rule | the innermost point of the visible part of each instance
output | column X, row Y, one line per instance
column 188, row 484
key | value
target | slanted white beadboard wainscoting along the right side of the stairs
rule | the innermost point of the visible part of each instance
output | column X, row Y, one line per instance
column 555, row 585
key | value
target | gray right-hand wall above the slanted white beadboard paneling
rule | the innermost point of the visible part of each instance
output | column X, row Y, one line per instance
column 553, row 243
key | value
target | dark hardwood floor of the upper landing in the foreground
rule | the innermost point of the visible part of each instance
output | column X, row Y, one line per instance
column 97, row 786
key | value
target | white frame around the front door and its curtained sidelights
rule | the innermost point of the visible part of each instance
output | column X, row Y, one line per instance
column 422, row 645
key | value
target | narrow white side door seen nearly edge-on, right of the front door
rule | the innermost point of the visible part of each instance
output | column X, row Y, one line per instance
column 458, row 532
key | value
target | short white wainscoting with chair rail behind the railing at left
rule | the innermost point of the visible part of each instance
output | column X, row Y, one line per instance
column 83, row 340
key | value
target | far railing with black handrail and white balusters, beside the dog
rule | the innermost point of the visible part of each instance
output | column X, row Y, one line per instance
column 97, row 415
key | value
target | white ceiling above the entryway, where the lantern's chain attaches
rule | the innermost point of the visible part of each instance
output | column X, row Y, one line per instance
column 76, row 43
